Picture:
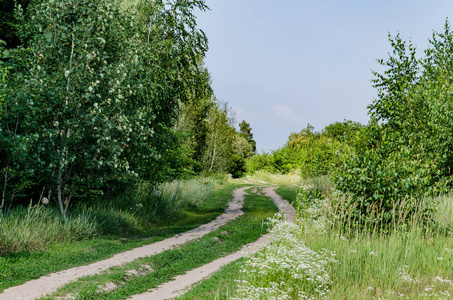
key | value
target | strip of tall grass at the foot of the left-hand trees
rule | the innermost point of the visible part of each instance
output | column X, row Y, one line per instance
column 34, row 227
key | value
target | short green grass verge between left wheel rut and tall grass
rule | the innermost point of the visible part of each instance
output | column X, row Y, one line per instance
column 19, row 267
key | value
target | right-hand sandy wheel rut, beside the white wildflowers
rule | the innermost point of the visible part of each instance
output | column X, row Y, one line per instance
column 182, row 283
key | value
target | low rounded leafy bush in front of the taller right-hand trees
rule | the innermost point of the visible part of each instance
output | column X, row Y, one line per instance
column 380, row 184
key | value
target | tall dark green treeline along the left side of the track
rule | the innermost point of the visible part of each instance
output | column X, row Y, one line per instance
column 97, row 95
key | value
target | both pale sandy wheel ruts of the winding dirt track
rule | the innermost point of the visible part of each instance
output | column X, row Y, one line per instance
column 50, row 283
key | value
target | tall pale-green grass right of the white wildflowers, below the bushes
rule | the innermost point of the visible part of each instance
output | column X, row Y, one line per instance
column 410, row 259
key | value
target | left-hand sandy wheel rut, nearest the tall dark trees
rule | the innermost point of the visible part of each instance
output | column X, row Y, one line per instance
column 50, row 283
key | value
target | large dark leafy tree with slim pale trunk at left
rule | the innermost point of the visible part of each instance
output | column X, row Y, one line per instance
column 93, row 93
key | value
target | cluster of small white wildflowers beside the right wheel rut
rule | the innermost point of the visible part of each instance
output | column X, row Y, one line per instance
column 287, row 268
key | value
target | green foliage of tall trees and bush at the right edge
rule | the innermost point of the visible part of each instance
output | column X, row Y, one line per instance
column 408, row 154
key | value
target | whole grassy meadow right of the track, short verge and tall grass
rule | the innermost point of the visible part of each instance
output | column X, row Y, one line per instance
column 411, row 261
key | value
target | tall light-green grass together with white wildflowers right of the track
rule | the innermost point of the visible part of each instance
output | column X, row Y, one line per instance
column 404, row 259
